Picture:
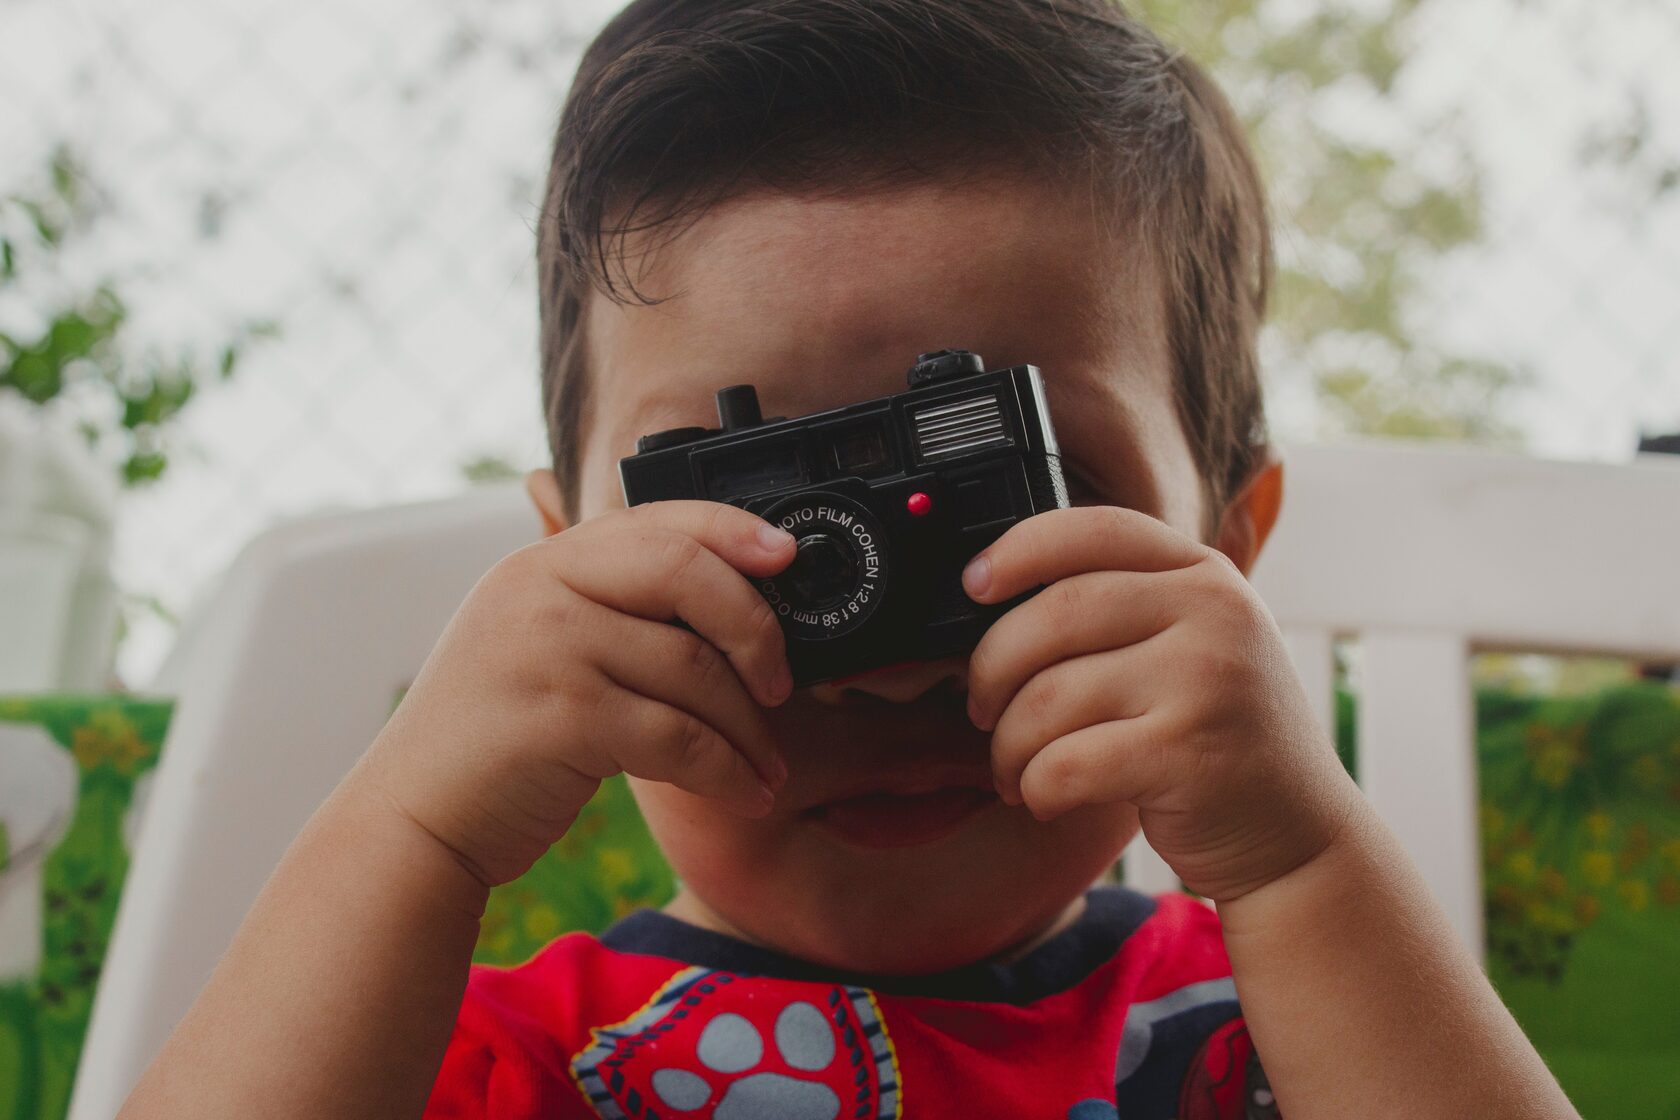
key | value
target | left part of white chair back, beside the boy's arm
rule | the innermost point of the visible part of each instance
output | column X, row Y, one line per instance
column 285, row 678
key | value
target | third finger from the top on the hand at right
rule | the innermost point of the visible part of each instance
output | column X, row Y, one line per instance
column 1059, row 701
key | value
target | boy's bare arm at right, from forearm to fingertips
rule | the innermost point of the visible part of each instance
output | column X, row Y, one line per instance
column 1148, row 673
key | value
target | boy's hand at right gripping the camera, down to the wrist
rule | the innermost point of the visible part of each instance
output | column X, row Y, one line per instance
column 1150, row 673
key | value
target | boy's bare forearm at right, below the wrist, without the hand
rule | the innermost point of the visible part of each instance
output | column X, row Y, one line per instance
column 1362, row 1000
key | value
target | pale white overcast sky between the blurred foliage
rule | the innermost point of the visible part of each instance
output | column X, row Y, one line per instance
column 365, row 172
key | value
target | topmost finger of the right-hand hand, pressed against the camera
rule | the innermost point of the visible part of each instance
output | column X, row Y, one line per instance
column 1064, row 543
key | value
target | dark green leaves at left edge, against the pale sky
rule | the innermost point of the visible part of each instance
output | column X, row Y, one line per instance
column 76, row 352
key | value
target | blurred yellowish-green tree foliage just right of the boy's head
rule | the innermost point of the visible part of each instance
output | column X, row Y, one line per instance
column 1360, row 217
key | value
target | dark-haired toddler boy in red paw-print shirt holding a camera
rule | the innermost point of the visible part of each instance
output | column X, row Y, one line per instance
column 886, row 903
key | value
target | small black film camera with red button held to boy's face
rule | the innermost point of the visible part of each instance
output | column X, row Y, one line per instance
column 888, row 501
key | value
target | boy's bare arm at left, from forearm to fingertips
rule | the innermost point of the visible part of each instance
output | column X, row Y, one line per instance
column 342, row 988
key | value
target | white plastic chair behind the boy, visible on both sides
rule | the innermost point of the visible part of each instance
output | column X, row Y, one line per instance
column 1422, row 555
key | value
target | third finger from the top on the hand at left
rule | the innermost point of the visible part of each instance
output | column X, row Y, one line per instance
column 691, row 674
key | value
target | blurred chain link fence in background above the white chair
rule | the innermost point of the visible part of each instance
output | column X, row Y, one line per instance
column 349, row 191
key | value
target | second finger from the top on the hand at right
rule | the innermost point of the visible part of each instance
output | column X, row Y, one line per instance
column 1086, row 614
